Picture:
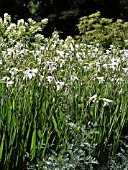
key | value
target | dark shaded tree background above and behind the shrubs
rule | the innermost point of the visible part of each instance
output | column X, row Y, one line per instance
column 63, row 15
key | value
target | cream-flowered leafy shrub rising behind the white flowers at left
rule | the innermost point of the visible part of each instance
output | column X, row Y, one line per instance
column 23, row 32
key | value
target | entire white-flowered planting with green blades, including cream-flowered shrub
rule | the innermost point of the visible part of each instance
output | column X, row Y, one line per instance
column 64, row 105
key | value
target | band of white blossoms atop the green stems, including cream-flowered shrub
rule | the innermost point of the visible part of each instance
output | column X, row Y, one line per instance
column 61, row 63
